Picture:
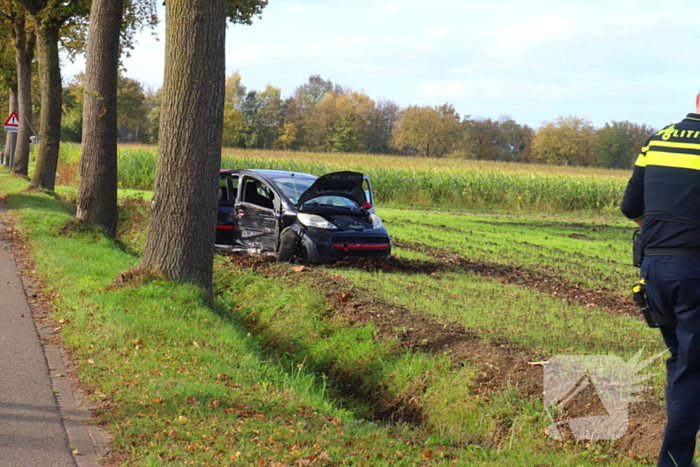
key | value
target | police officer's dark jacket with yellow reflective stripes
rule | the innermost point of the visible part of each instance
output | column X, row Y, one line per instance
column 664, row 188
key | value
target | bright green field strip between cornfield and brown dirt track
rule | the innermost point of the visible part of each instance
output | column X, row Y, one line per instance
column 593, row 251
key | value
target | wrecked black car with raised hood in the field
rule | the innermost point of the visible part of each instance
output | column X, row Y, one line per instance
column 296, row 215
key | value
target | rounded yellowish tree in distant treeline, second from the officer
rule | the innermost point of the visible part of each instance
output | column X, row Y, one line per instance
column 566, row 141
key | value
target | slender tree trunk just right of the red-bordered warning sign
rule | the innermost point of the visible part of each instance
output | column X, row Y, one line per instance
column 24, row 54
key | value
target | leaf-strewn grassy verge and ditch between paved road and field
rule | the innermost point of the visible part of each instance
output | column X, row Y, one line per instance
column 275, row 374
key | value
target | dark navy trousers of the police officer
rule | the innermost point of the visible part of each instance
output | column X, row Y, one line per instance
column 673, row 288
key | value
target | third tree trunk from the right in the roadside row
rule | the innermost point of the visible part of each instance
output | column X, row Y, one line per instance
column 51, row 101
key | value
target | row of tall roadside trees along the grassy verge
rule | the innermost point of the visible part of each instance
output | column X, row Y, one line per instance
column 180, row 241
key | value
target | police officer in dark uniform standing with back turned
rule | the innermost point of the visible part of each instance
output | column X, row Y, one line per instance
column 663, row 196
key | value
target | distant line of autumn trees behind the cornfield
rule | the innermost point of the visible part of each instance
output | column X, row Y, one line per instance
column 325, row 117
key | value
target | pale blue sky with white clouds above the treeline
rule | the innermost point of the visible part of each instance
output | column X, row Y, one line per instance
column 533, row 60
